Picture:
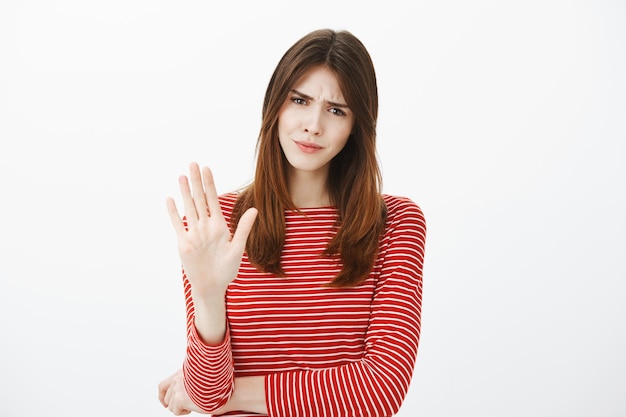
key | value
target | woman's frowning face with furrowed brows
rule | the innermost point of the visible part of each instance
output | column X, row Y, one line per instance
column 314, row 122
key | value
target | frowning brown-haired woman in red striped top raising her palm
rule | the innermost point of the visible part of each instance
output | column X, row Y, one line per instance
column 303, row 291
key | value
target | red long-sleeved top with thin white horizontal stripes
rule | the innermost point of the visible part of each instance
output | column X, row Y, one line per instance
column 324, row 351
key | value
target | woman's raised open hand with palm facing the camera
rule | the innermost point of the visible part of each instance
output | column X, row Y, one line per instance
column 209, row 253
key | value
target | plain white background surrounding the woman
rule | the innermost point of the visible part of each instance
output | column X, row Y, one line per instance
column 504, row 121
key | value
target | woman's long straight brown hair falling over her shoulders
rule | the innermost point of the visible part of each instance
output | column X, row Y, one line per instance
column 354, row 181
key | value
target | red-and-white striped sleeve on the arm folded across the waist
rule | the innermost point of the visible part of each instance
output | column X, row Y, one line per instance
column 377, row 384
